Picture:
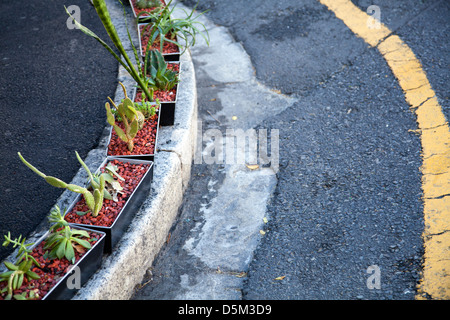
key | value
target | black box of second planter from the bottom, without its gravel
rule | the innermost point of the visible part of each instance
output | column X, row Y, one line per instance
column 114, row 232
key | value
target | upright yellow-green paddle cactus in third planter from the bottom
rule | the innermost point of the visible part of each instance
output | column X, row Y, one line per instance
column 132, row 119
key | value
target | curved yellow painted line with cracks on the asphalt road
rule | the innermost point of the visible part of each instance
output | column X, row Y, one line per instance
column 435, row 140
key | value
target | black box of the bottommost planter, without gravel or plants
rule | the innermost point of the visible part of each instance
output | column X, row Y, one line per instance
column 88, row 265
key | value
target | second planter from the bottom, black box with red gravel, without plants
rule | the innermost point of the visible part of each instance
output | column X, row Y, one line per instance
column 115, row 216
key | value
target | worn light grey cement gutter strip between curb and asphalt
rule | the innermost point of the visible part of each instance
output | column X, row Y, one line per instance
column 224, row 210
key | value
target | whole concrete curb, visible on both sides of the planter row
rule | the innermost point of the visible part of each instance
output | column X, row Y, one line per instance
column 125, row 268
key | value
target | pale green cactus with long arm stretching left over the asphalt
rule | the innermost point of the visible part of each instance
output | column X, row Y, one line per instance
column 94, row 199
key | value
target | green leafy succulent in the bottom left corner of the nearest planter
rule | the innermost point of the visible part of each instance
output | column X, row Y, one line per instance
column 19, row 270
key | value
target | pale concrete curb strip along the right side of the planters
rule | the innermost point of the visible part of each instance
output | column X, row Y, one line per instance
column 122, row 270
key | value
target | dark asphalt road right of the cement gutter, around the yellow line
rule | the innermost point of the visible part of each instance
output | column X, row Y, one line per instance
column 349, row 187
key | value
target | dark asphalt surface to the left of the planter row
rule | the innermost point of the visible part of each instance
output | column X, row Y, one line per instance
column 53, row 86
